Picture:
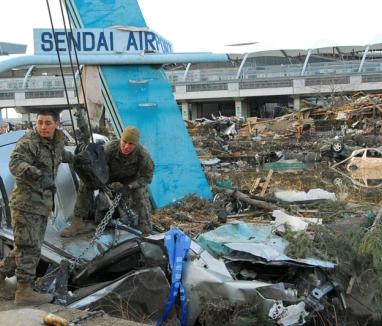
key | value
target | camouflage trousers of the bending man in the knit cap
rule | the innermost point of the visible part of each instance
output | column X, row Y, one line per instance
column 138, row 199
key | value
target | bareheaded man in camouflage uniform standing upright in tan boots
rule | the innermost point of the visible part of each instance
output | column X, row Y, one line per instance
column 34, row 163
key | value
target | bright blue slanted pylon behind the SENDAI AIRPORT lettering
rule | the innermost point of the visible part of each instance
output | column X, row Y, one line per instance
column 144, row 98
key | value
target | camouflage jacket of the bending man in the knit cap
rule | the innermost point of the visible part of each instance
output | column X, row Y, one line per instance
column 135, row 169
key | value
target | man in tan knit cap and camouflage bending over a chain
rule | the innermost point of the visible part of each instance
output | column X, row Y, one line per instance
column 130, row 172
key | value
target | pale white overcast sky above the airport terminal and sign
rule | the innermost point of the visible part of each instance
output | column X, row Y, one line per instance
column 208, row 25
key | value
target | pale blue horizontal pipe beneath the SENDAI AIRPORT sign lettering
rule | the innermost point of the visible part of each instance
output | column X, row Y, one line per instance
column 113, row 59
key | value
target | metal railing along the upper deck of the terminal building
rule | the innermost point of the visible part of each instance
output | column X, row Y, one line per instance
column 199, row 80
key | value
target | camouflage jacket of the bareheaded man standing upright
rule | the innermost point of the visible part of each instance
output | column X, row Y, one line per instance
column 33, row 150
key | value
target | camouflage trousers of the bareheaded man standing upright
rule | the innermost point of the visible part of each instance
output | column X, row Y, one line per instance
column 28, row 230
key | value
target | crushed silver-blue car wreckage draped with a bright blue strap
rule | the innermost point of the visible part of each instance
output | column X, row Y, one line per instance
column 130, row 276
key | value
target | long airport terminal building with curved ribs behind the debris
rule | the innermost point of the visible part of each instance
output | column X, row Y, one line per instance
column 258, row 83
